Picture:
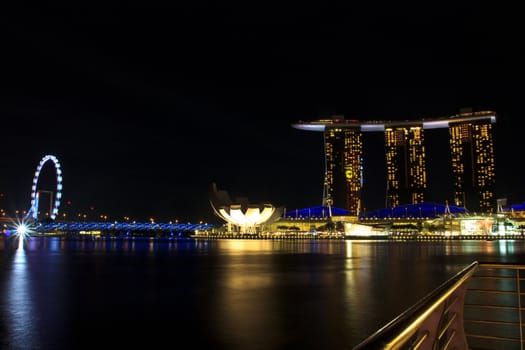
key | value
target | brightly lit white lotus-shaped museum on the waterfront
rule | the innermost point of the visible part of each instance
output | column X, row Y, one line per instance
column 243, row 216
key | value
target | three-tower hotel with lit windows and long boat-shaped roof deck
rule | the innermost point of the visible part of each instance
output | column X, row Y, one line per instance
column 471, row 150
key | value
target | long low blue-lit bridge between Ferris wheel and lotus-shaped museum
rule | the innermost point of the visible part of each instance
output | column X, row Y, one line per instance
column 117, row 227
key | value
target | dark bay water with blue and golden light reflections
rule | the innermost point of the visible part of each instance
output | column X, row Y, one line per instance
column 231, row 294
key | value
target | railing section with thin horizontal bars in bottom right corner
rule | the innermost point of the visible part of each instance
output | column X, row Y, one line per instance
column 493, row 311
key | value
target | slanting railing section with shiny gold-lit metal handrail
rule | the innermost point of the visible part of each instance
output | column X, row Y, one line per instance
column 437, row 317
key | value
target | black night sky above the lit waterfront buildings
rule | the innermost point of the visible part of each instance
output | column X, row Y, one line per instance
column 146, row 104
